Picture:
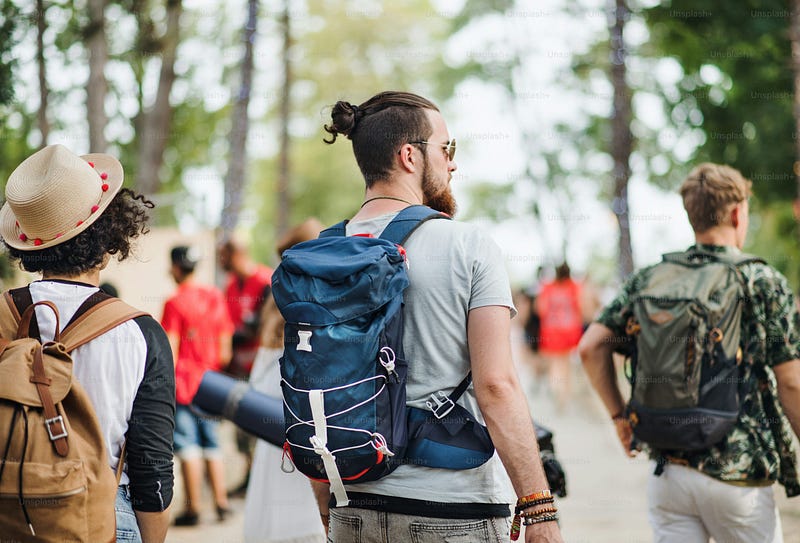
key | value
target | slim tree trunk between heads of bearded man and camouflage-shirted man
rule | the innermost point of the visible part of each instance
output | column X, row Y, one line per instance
column 621, row 139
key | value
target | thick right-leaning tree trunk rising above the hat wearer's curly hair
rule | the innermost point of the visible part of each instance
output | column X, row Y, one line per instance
column 156, row 124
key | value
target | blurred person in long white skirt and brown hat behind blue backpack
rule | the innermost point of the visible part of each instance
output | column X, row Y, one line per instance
column 279, row 506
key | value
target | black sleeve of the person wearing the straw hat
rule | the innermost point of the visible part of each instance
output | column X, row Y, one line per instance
column 152, row 423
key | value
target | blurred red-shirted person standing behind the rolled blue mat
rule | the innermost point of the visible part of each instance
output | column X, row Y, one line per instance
column 247, row 287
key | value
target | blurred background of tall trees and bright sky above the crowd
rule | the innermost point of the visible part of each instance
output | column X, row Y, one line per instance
column 216, row 108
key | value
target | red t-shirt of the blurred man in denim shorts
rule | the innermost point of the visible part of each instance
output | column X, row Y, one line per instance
column 197, row 314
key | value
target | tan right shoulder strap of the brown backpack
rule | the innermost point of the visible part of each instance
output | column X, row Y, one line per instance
column 102, row 314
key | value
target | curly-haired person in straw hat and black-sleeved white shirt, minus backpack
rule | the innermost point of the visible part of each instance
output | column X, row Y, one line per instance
column 65, row 216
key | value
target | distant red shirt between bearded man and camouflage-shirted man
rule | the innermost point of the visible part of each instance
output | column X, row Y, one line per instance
column 561, row 322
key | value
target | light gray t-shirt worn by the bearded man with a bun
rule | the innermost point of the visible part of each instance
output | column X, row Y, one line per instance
column 453, row 267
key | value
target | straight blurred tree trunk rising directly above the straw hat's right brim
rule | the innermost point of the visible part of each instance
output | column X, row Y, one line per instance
column 97, row 88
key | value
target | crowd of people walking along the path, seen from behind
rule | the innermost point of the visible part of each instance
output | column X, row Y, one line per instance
column 66, row 216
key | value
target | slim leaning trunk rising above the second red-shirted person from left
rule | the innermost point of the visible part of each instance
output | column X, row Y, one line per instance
column 235, row 179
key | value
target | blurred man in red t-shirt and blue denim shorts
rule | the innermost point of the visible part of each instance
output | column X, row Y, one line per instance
column 199, row 331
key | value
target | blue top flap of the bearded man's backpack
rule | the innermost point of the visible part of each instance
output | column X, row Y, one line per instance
column 336, row 279
